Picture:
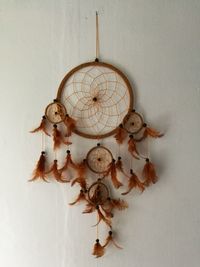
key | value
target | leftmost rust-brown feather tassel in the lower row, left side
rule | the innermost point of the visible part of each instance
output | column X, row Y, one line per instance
column 39, row 171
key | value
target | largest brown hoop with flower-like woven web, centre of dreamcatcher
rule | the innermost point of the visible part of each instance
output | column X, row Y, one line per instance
column 98, row 96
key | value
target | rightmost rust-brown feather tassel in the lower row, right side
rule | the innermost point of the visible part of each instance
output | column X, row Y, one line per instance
column 149, row 173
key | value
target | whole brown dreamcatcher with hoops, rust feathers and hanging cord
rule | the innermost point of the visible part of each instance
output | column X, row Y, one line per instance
column 95, row 101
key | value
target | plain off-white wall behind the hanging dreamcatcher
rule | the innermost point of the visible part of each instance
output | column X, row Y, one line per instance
column 156, row 43
